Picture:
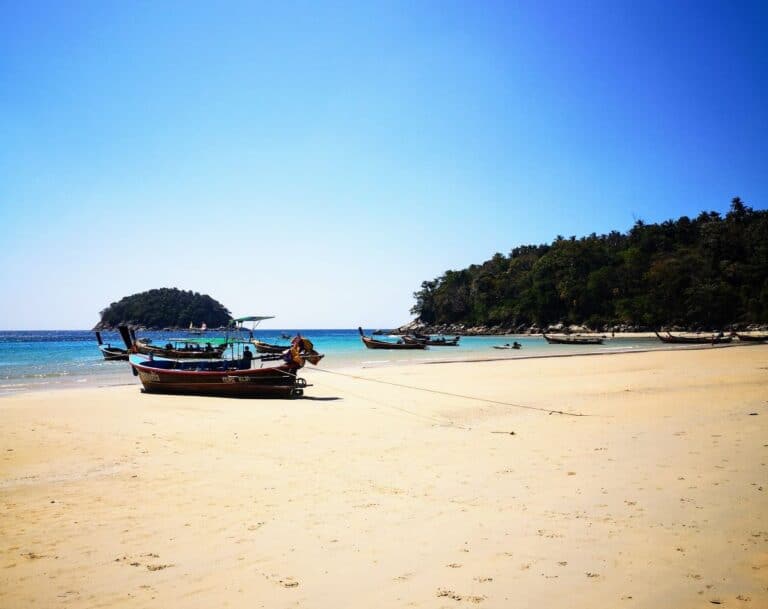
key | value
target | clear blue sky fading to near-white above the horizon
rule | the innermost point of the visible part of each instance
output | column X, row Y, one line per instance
column 317, row 161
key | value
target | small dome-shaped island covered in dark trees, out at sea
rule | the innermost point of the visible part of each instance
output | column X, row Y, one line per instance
column 164, row 308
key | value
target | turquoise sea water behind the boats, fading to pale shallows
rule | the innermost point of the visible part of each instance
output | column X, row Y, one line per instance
column 57, row 359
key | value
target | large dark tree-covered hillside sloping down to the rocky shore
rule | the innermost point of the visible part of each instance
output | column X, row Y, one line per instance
column 710, row 272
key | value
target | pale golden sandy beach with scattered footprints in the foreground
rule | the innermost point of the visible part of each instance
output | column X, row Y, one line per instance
column 479, row 488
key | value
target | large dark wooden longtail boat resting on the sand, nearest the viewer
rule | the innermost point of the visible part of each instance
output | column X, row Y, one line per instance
column 229, row 377
